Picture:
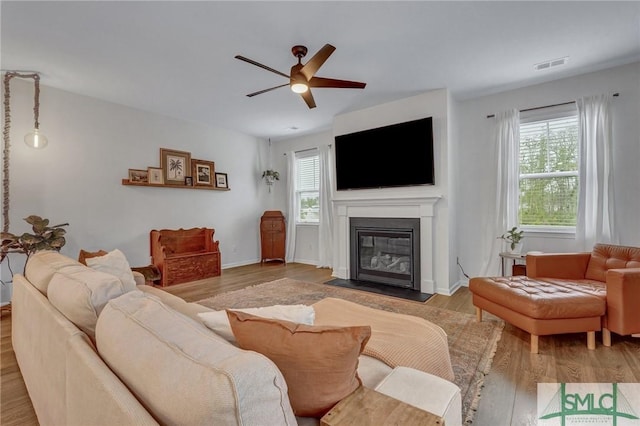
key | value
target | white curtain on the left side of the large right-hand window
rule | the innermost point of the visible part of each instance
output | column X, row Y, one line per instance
column 507, row 137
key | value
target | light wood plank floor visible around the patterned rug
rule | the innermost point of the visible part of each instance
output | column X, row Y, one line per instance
column 509, row 393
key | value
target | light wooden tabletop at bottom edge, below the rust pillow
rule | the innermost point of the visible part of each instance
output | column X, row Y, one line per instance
column 368, row 407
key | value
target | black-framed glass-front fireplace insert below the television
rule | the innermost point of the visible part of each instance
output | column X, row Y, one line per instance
column 385, row 251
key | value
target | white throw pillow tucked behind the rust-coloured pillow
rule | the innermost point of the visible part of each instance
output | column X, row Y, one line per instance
column 218, row 321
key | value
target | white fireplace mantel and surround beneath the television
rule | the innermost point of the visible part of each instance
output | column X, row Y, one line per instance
column 402, row 207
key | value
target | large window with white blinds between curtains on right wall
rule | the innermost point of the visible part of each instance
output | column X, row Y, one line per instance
column 549, row 170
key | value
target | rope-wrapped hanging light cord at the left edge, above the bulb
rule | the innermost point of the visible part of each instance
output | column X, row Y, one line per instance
column 7, row 140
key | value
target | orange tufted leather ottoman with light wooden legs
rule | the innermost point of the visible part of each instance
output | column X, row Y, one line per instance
column 542, row 307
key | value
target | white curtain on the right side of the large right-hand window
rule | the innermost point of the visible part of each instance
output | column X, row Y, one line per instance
column 596, row 219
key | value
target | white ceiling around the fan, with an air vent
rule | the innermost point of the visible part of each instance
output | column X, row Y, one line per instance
column 177, row 58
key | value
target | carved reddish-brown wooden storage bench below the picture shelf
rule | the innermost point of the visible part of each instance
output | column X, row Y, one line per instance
column 185, row 255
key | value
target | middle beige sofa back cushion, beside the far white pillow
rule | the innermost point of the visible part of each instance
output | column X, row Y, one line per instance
column 81, row 294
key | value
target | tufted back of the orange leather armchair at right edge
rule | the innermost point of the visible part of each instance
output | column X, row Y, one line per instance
column 608, row 256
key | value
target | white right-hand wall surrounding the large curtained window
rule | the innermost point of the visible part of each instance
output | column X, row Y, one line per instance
column 475, row 190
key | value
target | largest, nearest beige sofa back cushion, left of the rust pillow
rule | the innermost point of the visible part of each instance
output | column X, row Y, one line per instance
column 184, row 373
